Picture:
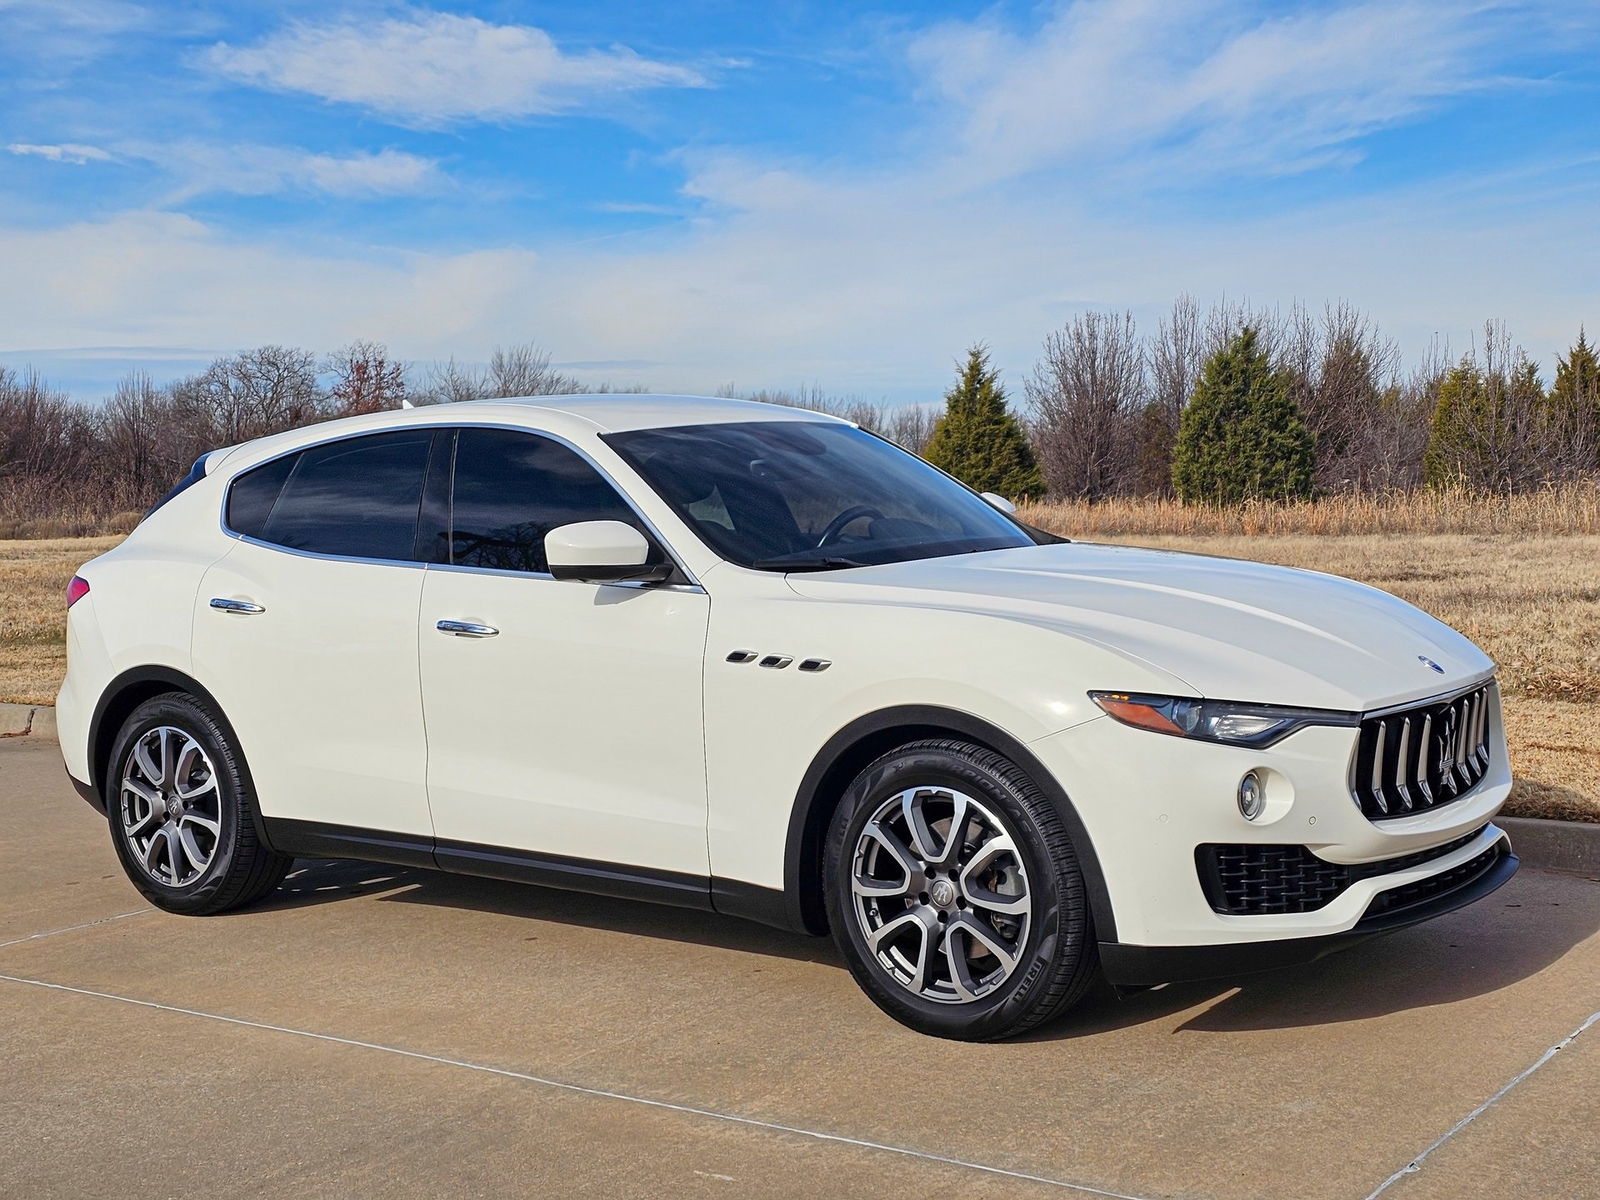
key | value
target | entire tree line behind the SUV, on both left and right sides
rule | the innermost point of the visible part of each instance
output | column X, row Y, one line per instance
column 1212, row 407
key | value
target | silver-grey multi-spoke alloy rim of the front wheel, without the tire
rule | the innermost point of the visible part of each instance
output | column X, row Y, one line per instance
column 942, row 895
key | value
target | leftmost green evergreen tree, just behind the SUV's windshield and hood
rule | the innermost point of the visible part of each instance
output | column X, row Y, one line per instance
column 980, row 441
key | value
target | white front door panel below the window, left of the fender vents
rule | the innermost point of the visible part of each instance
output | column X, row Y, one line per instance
column 574, row 730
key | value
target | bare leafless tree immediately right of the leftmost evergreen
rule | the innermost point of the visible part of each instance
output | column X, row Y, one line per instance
column 1086, row 394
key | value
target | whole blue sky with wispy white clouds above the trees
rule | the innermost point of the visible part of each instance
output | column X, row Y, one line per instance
column 702, row 194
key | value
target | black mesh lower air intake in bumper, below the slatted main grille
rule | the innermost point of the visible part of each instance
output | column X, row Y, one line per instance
column 1254, row 881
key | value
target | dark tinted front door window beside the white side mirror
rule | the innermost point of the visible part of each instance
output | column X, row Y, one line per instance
column 513, row 489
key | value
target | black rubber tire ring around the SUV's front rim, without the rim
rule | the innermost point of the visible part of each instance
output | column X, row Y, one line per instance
column 1012, row 1004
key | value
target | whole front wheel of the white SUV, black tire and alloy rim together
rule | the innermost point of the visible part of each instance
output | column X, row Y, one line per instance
column 978, row 942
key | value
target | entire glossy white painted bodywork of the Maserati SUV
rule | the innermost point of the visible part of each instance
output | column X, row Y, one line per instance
column 607, row 724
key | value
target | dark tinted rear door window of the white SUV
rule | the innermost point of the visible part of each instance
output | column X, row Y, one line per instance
column 356, row 498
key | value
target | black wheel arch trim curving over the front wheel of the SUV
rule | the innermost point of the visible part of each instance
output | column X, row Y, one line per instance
column 863, row 740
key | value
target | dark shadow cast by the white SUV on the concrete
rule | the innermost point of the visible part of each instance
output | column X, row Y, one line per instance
column 1489, row 946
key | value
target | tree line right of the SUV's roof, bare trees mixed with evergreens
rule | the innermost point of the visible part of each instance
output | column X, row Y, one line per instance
column 1230, row 406
